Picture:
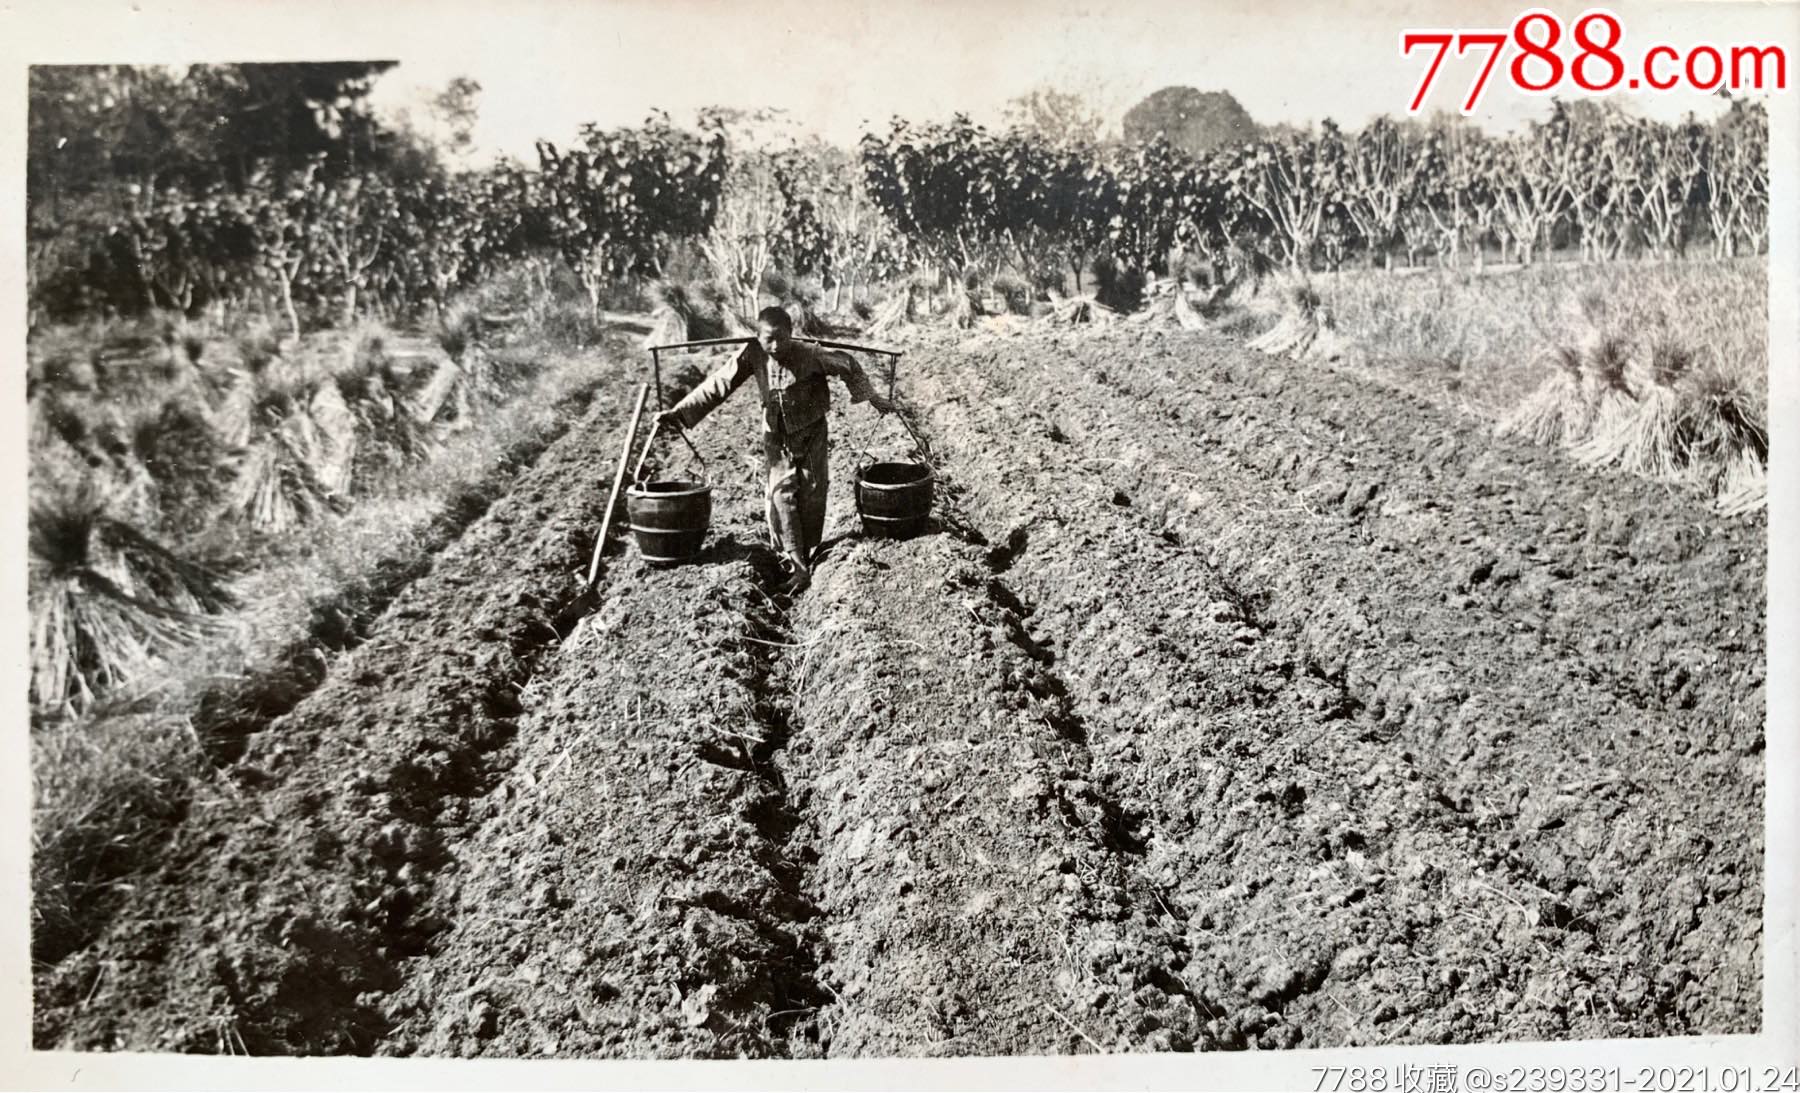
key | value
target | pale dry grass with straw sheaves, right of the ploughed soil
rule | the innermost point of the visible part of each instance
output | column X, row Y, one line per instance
column 1651, row 368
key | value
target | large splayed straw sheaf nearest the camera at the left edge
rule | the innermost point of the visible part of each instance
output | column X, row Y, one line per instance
column 107, row 602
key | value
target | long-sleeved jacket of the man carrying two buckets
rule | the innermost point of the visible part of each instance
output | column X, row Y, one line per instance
column 795, row 390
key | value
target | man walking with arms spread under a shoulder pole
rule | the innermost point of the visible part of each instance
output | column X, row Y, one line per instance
column 791, row 379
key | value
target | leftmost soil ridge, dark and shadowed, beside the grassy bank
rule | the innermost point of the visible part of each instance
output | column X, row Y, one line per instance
column 289, row 894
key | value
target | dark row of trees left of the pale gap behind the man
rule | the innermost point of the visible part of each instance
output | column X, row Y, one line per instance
column 150, row 190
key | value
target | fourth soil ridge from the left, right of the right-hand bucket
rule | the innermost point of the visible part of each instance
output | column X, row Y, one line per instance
column 1176, row 680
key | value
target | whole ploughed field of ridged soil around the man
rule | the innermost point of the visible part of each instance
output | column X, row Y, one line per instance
column 1228, row 705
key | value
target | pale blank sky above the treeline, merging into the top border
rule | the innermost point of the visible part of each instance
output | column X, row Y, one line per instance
column 840, row 69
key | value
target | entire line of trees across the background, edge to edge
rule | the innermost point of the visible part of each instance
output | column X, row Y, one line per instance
column 339, row 213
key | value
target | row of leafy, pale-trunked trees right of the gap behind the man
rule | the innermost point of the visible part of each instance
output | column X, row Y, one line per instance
column 1588, row 177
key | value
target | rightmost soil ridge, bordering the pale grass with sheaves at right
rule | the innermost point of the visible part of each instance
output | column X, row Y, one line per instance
column 1561, row 554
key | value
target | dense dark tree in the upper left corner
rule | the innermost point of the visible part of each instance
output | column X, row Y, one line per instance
column 127, row 167
